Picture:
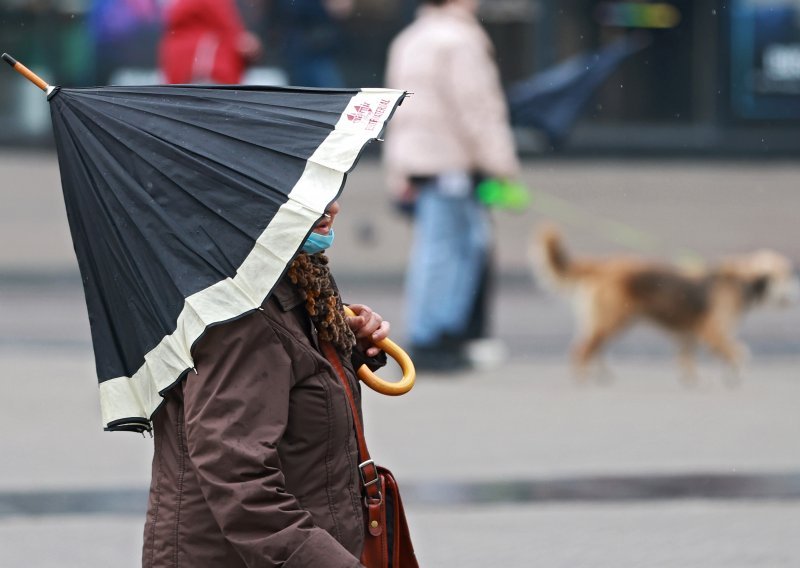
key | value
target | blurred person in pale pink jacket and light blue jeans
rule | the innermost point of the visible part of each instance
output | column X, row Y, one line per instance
column 451, row 134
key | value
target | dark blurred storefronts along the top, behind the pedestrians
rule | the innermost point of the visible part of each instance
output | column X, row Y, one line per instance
column 717, row 76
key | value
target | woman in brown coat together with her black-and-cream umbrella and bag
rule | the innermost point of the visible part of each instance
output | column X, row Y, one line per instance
column 199, row 215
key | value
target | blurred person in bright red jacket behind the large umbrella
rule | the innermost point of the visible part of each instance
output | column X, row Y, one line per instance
column 205, row 41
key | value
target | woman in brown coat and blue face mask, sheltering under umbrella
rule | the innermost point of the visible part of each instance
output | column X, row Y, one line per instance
column 255, row 459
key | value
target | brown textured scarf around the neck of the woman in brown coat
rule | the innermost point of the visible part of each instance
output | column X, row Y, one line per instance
column 311, row 274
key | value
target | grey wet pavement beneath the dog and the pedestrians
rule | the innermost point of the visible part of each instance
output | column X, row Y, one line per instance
column 514, row 465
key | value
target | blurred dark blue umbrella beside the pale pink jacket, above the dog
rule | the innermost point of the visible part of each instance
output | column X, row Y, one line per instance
column 553, row 99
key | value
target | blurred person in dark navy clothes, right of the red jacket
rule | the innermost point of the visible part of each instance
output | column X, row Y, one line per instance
column 312, row 36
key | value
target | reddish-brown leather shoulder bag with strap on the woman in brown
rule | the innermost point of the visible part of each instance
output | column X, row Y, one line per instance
column 387, row 541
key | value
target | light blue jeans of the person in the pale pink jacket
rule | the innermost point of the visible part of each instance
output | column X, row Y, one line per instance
column 451, row 238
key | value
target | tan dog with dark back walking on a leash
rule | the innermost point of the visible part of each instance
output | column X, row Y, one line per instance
column 695, row 307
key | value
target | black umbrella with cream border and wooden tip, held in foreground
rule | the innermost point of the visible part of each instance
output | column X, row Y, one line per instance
column 186, row 204
